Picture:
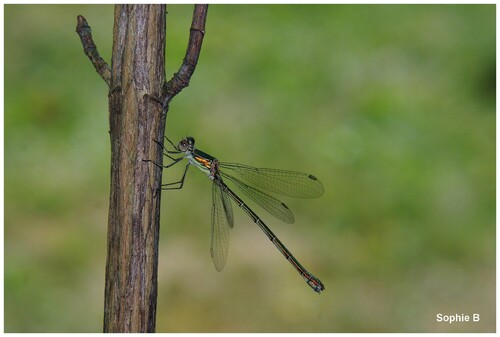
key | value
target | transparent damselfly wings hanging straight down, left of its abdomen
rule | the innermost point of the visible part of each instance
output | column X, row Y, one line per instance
column 222, row 220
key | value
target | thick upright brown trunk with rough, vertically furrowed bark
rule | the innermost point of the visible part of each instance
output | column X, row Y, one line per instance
column 135, row 118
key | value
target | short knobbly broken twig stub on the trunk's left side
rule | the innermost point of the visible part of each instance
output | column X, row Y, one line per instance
column 90, row 49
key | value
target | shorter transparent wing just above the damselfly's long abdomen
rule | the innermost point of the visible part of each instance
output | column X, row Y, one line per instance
column 267, row 202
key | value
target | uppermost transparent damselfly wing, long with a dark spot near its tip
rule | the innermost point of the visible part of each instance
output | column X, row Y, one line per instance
column 290, row 183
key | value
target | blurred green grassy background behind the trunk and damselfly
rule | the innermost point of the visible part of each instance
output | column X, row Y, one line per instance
column 392, row 107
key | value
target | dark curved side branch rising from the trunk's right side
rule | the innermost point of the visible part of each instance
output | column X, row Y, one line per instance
column 181, row 78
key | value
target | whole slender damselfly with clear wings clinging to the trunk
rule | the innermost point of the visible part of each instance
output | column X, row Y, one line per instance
column 288, row 183
